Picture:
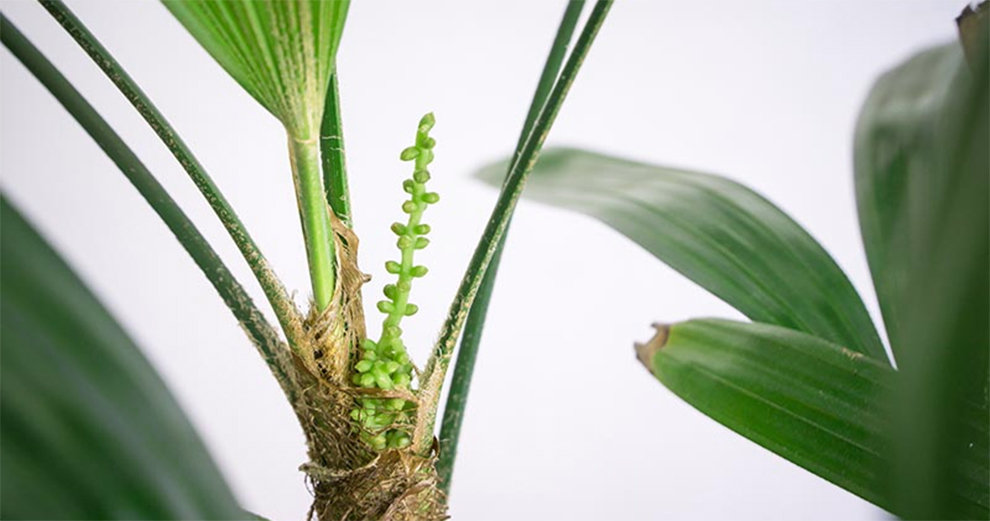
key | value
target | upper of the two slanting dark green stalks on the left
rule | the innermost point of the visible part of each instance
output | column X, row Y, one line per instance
column 278, row 297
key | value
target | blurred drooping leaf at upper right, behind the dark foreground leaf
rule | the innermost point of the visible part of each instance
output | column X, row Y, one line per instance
column 893, row 155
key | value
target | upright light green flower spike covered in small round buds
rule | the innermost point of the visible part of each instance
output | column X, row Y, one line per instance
column 385, row 364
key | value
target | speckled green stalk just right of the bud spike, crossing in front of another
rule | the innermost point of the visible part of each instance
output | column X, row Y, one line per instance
column 436, row 368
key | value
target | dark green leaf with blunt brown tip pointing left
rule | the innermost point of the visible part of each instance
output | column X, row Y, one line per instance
column 810, row 401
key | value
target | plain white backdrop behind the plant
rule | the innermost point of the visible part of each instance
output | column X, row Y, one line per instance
column 563, row 423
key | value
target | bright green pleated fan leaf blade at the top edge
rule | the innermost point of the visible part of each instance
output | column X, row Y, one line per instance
column 281, row 51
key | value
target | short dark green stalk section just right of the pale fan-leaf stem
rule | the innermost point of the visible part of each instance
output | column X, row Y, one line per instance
column 332, row 150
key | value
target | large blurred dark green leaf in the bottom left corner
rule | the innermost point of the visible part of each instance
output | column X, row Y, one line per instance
column 89, row 430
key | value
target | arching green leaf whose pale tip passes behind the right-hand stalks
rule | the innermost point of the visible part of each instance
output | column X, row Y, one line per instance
column 716, row 232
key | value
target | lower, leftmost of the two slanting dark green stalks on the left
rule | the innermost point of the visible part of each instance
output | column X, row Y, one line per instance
column 262, row 334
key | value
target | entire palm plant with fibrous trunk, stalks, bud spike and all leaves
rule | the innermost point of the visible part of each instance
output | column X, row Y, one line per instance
column 809, row 379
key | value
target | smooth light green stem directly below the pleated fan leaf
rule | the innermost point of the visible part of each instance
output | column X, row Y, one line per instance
column 315, row 215
